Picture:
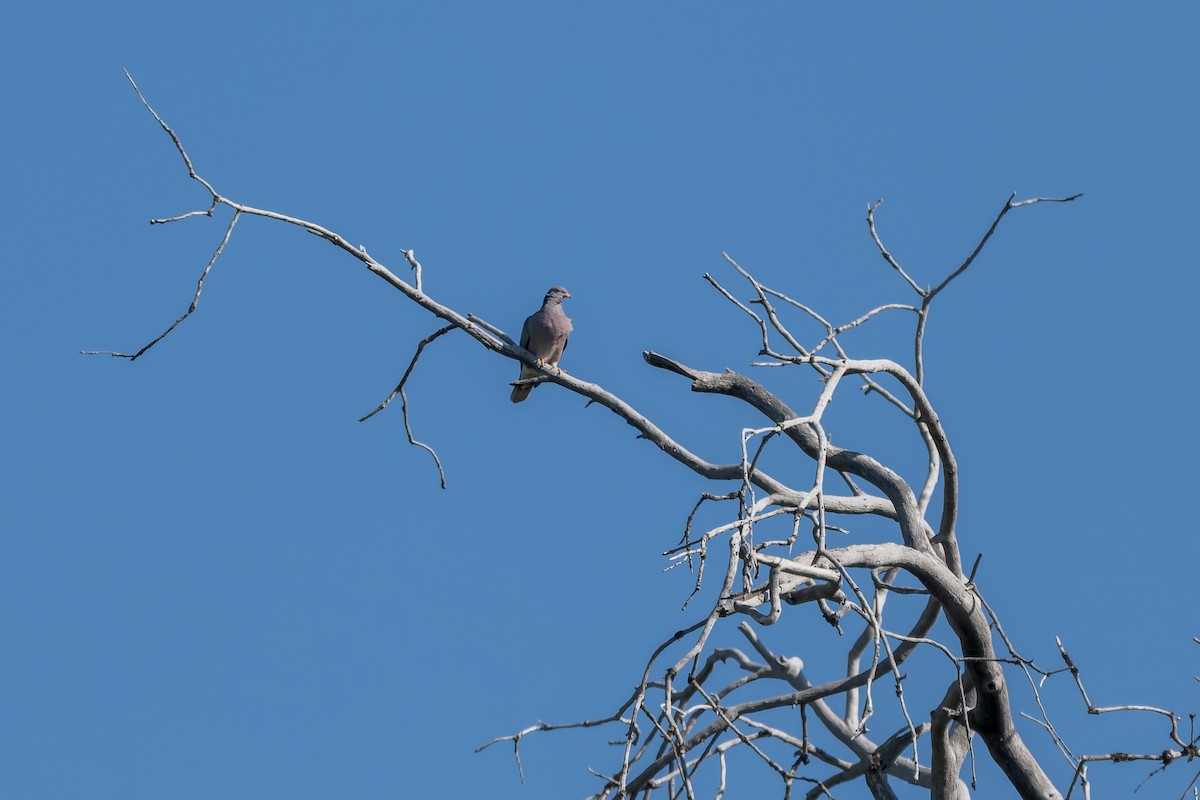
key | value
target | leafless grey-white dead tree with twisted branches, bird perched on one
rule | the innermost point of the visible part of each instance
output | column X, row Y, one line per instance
column 783, row 555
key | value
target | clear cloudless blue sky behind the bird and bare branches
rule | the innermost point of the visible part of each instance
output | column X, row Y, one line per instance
column 217, row 584
